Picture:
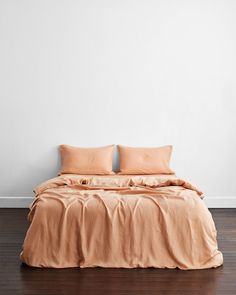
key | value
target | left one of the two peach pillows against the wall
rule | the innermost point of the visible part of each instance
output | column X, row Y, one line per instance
column 76, row 160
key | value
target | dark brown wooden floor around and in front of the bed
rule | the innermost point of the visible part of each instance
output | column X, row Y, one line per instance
column 16, row 278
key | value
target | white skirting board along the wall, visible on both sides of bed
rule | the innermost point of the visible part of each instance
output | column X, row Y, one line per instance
column 211, row 202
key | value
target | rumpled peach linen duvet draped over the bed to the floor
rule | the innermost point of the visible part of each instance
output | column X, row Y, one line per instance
column 120, row 221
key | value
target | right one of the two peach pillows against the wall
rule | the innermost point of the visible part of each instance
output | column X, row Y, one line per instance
column 145, row 160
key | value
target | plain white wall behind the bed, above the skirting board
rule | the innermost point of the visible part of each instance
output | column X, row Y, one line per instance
column 139, row 73
